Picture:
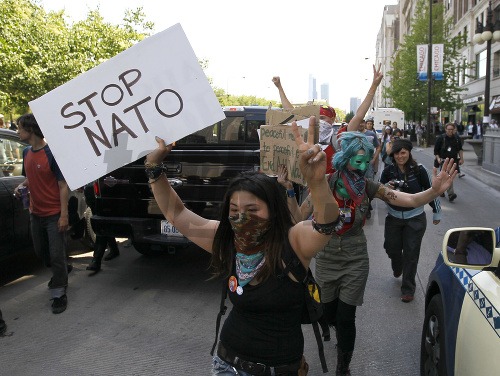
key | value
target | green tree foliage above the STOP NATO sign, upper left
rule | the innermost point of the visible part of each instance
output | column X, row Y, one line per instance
column 41, row 51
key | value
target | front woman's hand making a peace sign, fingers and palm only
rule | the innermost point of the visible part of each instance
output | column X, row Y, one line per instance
column 312, row 160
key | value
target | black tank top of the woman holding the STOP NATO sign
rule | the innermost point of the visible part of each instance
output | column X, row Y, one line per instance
column 264, row 323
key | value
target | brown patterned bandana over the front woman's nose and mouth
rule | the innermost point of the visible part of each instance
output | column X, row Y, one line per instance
column 249, row 231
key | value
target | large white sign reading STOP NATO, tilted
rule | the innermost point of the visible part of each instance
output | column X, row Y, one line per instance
column 109, row 116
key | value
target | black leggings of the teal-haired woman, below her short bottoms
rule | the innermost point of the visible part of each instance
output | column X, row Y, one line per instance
column 343, row 317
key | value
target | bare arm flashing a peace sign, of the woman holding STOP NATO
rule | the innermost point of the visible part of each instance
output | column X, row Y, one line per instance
column 309, row 237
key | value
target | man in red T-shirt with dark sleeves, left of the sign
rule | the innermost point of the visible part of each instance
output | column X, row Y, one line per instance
column 49, row 194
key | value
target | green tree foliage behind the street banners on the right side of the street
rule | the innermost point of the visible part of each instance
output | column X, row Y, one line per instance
column 406, row 92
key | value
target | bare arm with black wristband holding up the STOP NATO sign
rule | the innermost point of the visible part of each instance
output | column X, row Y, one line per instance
column 199, row 230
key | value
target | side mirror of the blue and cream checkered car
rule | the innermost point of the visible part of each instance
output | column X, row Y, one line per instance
column 470, row 247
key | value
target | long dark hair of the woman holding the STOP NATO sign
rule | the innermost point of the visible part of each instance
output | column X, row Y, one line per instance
column 268, row 190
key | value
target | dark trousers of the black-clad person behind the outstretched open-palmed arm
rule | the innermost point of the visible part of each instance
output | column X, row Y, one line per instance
column 403, row 238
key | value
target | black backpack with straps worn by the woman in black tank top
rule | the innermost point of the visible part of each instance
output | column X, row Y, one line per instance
column 313, row 309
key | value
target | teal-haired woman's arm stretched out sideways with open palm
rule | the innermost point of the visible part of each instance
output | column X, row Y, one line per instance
column 440, row 183
